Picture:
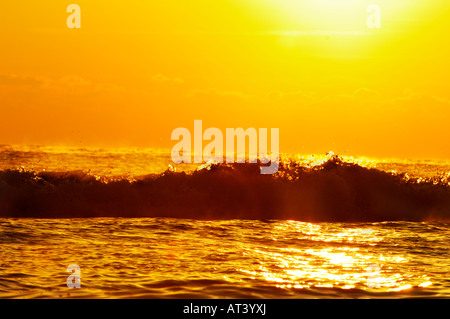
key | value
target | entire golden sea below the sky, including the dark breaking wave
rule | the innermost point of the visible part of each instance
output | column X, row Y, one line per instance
column 140, row 227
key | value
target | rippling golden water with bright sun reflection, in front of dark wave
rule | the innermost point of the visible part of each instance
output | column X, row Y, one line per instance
column 180, row 258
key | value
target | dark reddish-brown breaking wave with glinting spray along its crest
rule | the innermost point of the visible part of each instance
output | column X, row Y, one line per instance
column 332, row 191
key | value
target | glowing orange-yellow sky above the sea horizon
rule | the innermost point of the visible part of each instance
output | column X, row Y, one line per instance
column 136, row 70
